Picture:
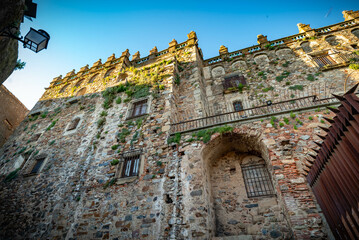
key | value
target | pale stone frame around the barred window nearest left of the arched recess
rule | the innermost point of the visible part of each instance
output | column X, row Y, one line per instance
column 120, row 179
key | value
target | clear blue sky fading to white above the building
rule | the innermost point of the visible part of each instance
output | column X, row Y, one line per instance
column 82, row 31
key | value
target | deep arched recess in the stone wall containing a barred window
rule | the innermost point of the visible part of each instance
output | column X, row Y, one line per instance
column 226, row 159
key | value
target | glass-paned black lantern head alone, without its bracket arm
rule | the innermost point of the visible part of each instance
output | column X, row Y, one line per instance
column 36, row 40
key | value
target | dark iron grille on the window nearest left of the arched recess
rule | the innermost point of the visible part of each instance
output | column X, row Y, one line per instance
column 131, row 163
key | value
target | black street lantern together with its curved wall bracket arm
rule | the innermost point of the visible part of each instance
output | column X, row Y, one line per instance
column 36, row 40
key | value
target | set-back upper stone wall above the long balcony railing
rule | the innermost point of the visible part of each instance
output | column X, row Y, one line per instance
column 263, row 68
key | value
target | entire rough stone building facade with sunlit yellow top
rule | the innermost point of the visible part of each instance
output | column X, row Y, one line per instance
column 185, row 189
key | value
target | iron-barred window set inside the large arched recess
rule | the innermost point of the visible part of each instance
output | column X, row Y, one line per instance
column 257, row 180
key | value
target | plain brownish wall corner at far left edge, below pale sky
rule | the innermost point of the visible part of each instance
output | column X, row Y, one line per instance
column 12, row 112
